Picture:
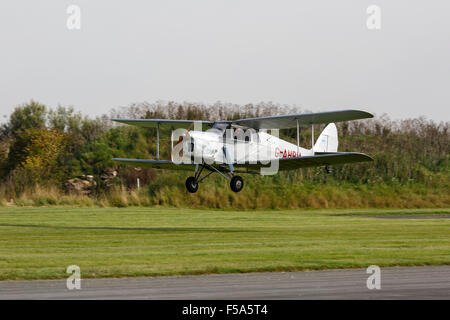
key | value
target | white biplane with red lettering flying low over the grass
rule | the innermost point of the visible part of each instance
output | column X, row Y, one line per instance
column 244, row 146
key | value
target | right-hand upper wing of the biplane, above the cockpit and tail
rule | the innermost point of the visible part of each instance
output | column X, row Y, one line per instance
column 290, row 121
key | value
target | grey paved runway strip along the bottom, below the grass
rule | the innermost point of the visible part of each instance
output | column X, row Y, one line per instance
column 396, row 283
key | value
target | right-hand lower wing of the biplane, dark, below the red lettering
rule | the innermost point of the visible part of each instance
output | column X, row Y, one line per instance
column 312, row 161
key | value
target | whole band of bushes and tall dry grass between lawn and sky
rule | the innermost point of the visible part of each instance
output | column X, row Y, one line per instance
column 41, row 148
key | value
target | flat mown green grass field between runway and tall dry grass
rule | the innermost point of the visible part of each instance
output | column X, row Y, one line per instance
column 39, row 243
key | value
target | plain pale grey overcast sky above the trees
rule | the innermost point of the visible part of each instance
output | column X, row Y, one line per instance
column 318, row 55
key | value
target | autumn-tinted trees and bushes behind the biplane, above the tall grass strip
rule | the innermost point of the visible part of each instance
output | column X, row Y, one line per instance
column 42, row 146
